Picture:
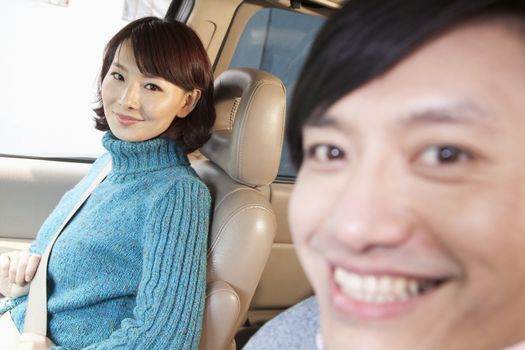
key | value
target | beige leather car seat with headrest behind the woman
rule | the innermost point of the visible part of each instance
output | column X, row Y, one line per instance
column 243, row 158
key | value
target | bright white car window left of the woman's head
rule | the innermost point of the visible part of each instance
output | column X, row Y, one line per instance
column 51, row 56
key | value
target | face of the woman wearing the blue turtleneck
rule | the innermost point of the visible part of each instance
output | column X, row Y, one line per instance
column 140, row 107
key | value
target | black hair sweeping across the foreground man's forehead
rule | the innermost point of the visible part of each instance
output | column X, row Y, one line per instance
column 368, row 37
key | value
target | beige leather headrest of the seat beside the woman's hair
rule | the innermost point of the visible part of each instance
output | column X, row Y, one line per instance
column 247, row 138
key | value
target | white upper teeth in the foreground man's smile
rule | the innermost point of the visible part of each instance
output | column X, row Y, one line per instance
column 380, row 289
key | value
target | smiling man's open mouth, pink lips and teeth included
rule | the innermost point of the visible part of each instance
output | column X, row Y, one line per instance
column 378, row 296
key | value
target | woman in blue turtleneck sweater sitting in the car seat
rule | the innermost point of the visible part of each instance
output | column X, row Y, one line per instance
column 129, row 270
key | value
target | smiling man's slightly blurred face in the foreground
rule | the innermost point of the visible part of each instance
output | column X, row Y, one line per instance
column 409, row 210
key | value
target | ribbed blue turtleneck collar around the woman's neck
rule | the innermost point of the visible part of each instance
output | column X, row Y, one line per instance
column 142, row 156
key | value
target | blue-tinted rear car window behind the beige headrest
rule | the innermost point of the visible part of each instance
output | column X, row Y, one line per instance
column 277, row 41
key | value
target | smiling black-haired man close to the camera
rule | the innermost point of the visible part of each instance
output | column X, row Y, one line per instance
column 408, row 210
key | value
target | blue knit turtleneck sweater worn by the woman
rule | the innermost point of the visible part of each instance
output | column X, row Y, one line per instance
column 129, row 270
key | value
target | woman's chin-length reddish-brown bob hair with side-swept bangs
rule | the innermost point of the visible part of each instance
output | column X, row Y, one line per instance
column 173, row 51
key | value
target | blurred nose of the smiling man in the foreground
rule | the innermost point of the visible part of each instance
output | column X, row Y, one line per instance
column 373, row 210
